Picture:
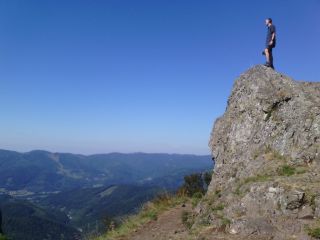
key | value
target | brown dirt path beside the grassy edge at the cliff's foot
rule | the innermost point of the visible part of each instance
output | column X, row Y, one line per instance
column 167, row 226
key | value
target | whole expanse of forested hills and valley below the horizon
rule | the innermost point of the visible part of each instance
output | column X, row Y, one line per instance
column 46, row 195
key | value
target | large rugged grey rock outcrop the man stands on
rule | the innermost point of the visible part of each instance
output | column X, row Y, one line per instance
column 266, row 147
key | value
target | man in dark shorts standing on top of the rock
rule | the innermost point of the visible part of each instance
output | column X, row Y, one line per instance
column 270, row 43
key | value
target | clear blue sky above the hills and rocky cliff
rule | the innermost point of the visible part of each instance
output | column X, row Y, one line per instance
column 121, row 75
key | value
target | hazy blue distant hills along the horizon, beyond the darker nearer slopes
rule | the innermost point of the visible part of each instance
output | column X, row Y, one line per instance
column 41, row 171
